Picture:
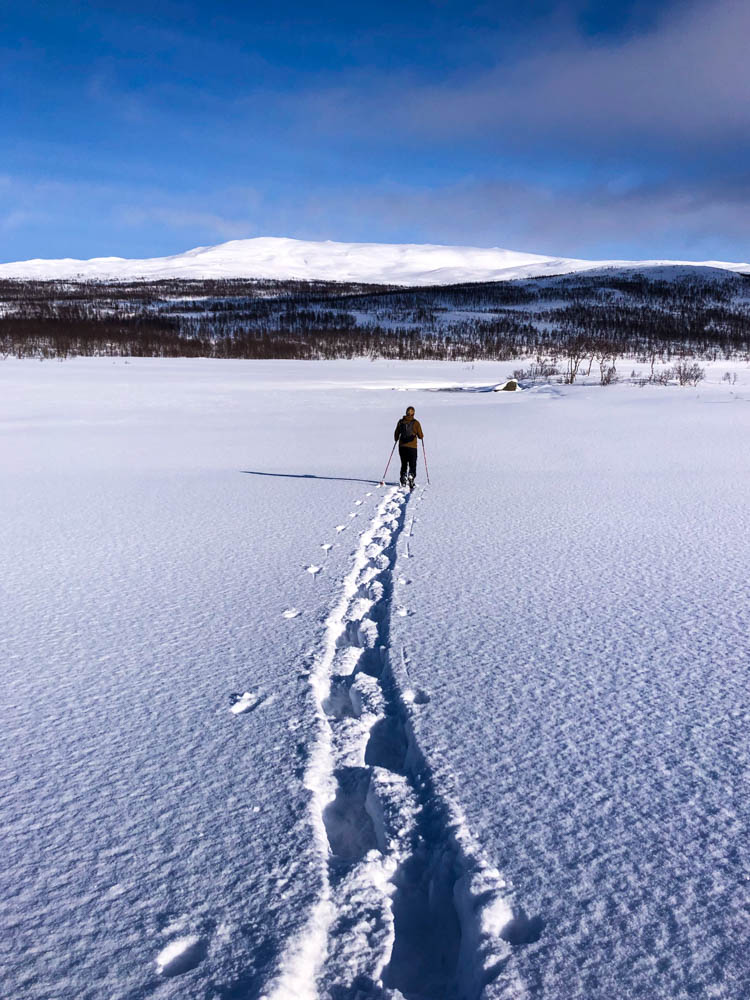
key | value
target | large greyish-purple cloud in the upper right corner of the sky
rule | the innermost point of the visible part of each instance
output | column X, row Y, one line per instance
column 685, row 82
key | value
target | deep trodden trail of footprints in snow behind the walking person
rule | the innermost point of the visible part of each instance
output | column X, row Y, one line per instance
column 409, row 907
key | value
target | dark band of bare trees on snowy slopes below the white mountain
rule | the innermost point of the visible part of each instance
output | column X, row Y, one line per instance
column 703, row 314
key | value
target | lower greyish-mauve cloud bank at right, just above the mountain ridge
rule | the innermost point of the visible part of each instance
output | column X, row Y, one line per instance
column 588, row 221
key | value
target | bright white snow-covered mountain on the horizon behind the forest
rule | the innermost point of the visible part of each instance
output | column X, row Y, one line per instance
column 381, row 263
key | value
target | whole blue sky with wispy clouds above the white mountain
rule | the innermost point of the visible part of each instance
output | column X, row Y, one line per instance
column 617, row 129
